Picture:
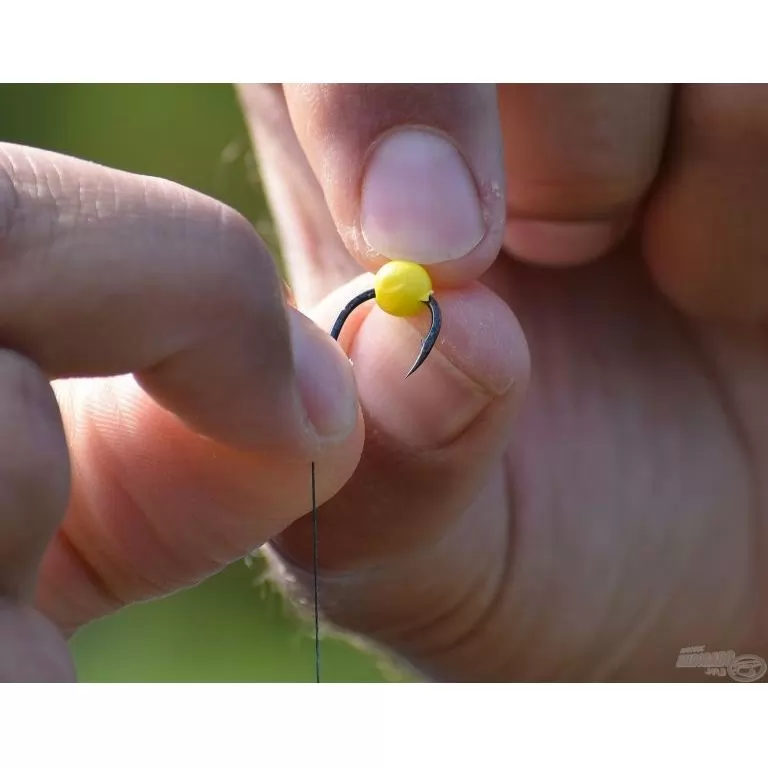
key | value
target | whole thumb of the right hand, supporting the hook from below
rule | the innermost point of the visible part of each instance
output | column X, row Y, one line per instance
column 431, row 441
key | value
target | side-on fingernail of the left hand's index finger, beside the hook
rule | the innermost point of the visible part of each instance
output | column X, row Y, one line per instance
column 324, row 378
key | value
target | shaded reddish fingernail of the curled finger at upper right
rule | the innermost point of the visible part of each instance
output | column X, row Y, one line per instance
column 548, row 242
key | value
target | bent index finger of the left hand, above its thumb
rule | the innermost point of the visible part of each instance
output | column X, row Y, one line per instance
column 104, row 273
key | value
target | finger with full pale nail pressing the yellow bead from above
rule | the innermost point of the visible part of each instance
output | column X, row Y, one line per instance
column 409, row 172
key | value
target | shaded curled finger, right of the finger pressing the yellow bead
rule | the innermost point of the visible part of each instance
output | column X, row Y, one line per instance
column 580, row 160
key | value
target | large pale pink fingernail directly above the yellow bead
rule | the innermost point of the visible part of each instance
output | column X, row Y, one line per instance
column 419, row 200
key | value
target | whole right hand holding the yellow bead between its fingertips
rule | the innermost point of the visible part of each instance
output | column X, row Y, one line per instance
column 591, row 522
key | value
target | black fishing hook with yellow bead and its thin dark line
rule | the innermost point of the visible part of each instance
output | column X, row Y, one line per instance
column 403, row 289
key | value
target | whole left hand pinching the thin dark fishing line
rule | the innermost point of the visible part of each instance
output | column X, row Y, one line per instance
column 190, row 399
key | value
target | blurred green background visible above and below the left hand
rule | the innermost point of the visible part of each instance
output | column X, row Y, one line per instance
column 233, row 627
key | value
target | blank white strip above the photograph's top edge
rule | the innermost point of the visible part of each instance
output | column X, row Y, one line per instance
column 396, row 41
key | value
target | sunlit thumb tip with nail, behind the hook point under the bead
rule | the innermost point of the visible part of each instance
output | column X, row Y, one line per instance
column 481, row 356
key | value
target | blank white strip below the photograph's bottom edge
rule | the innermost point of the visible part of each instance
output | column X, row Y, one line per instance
column 381, row 725
